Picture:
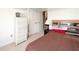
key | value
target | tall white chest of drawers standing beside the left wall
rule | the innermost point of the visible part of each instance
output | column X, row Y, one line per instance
column 21, row 27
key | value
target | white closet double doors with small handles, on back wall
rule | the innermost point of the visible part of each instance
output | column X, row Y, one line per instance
column 34, row 21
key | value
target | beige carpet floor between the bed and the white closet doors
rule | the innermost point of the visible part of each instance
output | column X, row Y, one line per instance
column 22, row 46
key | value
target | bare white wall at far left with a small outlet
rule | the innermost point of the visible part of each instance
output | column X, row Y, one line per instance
column 6, row 26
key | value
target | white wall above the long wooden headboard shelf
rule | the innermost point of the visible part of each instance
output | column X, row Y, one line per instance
column 63, row 13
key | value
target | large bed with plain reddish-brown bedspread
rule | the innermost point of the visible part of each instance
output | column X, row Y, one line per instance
column 54, row 41
